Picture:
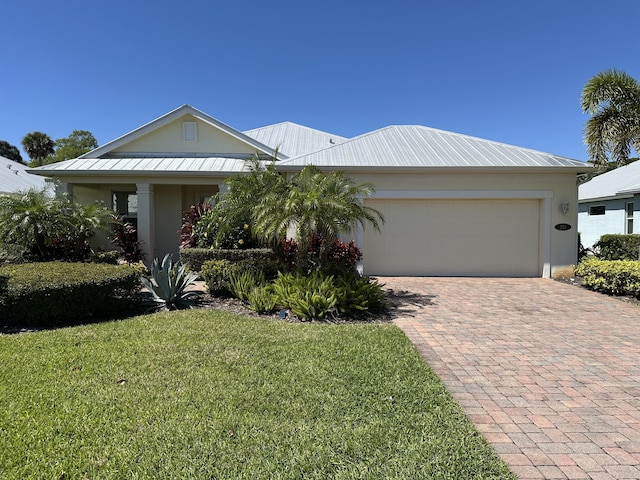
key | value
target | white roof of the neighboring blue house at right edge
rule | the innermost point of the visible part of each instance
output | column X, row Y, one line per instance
column 623, row 181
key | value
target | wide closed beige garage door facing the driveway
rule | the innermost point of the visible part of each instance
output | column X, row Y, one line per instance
column 454, row 237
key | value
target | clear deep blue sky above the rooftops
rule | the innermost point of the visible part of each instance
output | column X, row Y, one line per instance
column 504, row 70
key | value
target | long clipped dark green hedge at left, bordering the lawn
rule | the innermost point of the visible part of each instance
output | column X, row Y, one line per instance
column 55, row 293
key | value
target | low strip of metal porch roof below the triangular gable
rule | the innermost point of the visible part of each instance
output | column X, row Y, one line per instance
column 145, row 165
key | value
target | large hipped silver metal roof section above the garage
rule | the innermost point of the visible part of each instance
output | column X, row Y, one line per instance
column 418, row 146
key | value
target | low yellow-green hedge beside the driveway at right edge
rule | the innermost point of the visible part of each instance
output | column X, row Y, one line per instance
column 613, row 277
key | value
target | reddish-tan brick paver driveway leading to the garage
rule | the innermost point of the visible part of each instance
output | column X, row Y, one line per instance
column 549, row 372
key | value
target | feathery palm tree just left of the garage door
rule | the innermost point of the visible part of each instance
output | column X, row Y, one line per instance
column 315, row 203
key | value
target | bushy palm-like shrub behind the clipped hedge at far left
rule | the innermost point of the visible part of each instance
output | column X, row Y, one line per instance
column 50, row 228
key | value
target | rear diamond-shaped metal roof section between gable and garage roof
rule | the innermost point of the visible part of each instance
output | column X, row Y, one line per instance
column 292, row 139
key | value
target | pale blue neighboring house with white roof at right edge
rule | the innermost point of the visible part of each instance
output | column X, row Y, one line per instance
column 610, row 203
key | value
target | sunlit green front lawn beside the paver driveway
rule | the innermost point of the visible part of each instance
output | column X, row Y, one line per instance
column 204, row 394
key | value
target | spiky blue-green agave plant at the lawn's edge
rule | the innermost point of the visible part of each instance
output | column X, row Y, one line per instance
column 168, row 283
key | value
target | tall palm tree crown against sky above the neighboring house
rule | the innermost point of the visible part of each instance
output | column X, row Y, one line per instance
column 612, row 98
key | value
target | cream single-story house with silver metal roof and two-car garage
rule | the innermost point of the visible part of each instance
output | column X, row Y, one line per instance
column 454, row 204
